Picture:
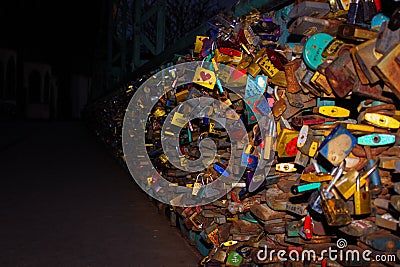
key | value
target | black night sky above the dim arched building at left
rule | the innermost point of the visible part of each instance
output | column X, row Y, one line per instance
column 62, row 33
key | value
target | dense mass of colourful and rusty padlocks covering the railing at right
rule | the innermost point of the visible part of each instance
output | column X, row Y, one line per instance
column 328, row 72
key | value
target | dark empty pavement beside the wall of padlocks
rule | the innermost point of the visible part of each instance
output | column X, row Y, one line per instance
column 64, row 201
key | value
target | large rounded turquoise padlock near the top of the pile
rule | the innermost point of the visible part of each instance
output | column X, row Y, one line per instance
column 313, row 48
